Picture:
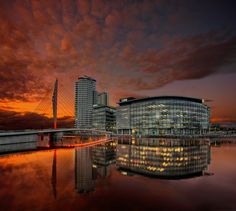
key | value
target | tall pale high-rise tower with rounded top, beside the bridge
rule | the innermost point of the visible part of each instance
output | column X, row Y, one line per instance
column 85, row 98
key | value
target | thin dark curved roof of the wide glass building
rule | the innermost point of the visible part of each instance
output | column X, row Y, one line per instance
column 126, row 101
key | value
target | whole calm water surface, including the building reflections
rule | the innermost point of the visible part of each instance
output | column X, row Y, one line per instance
column 122, row 175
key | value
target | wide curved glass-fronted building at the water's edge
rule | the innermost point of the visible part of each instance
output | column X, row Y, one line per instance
column 164, row 115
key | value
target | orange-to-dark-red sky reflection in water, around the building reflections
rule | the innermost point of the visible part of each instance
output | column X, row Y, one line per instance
column 25, row 182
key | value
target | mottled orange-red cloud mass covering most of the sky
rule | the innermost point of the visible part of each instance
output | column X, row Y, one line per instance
column 125, row 45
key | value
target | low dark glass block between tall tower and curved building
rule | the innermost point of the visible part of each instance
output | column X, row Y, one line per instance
column 103, row 118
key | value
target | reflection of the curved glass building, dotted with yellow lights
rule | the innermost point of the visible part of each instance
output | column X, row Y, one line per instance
column 164, row 157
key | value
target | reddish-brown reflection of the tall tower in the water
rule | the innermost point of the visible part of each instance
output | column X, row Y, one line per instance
column 84, row 172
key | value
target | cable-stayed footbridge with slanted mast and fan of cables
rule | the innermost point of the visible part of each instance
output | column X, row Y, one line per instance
column 60, row 103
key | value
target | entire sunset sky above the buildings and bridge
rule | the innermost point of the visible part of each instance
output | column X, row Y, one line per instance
column 131, row 47
